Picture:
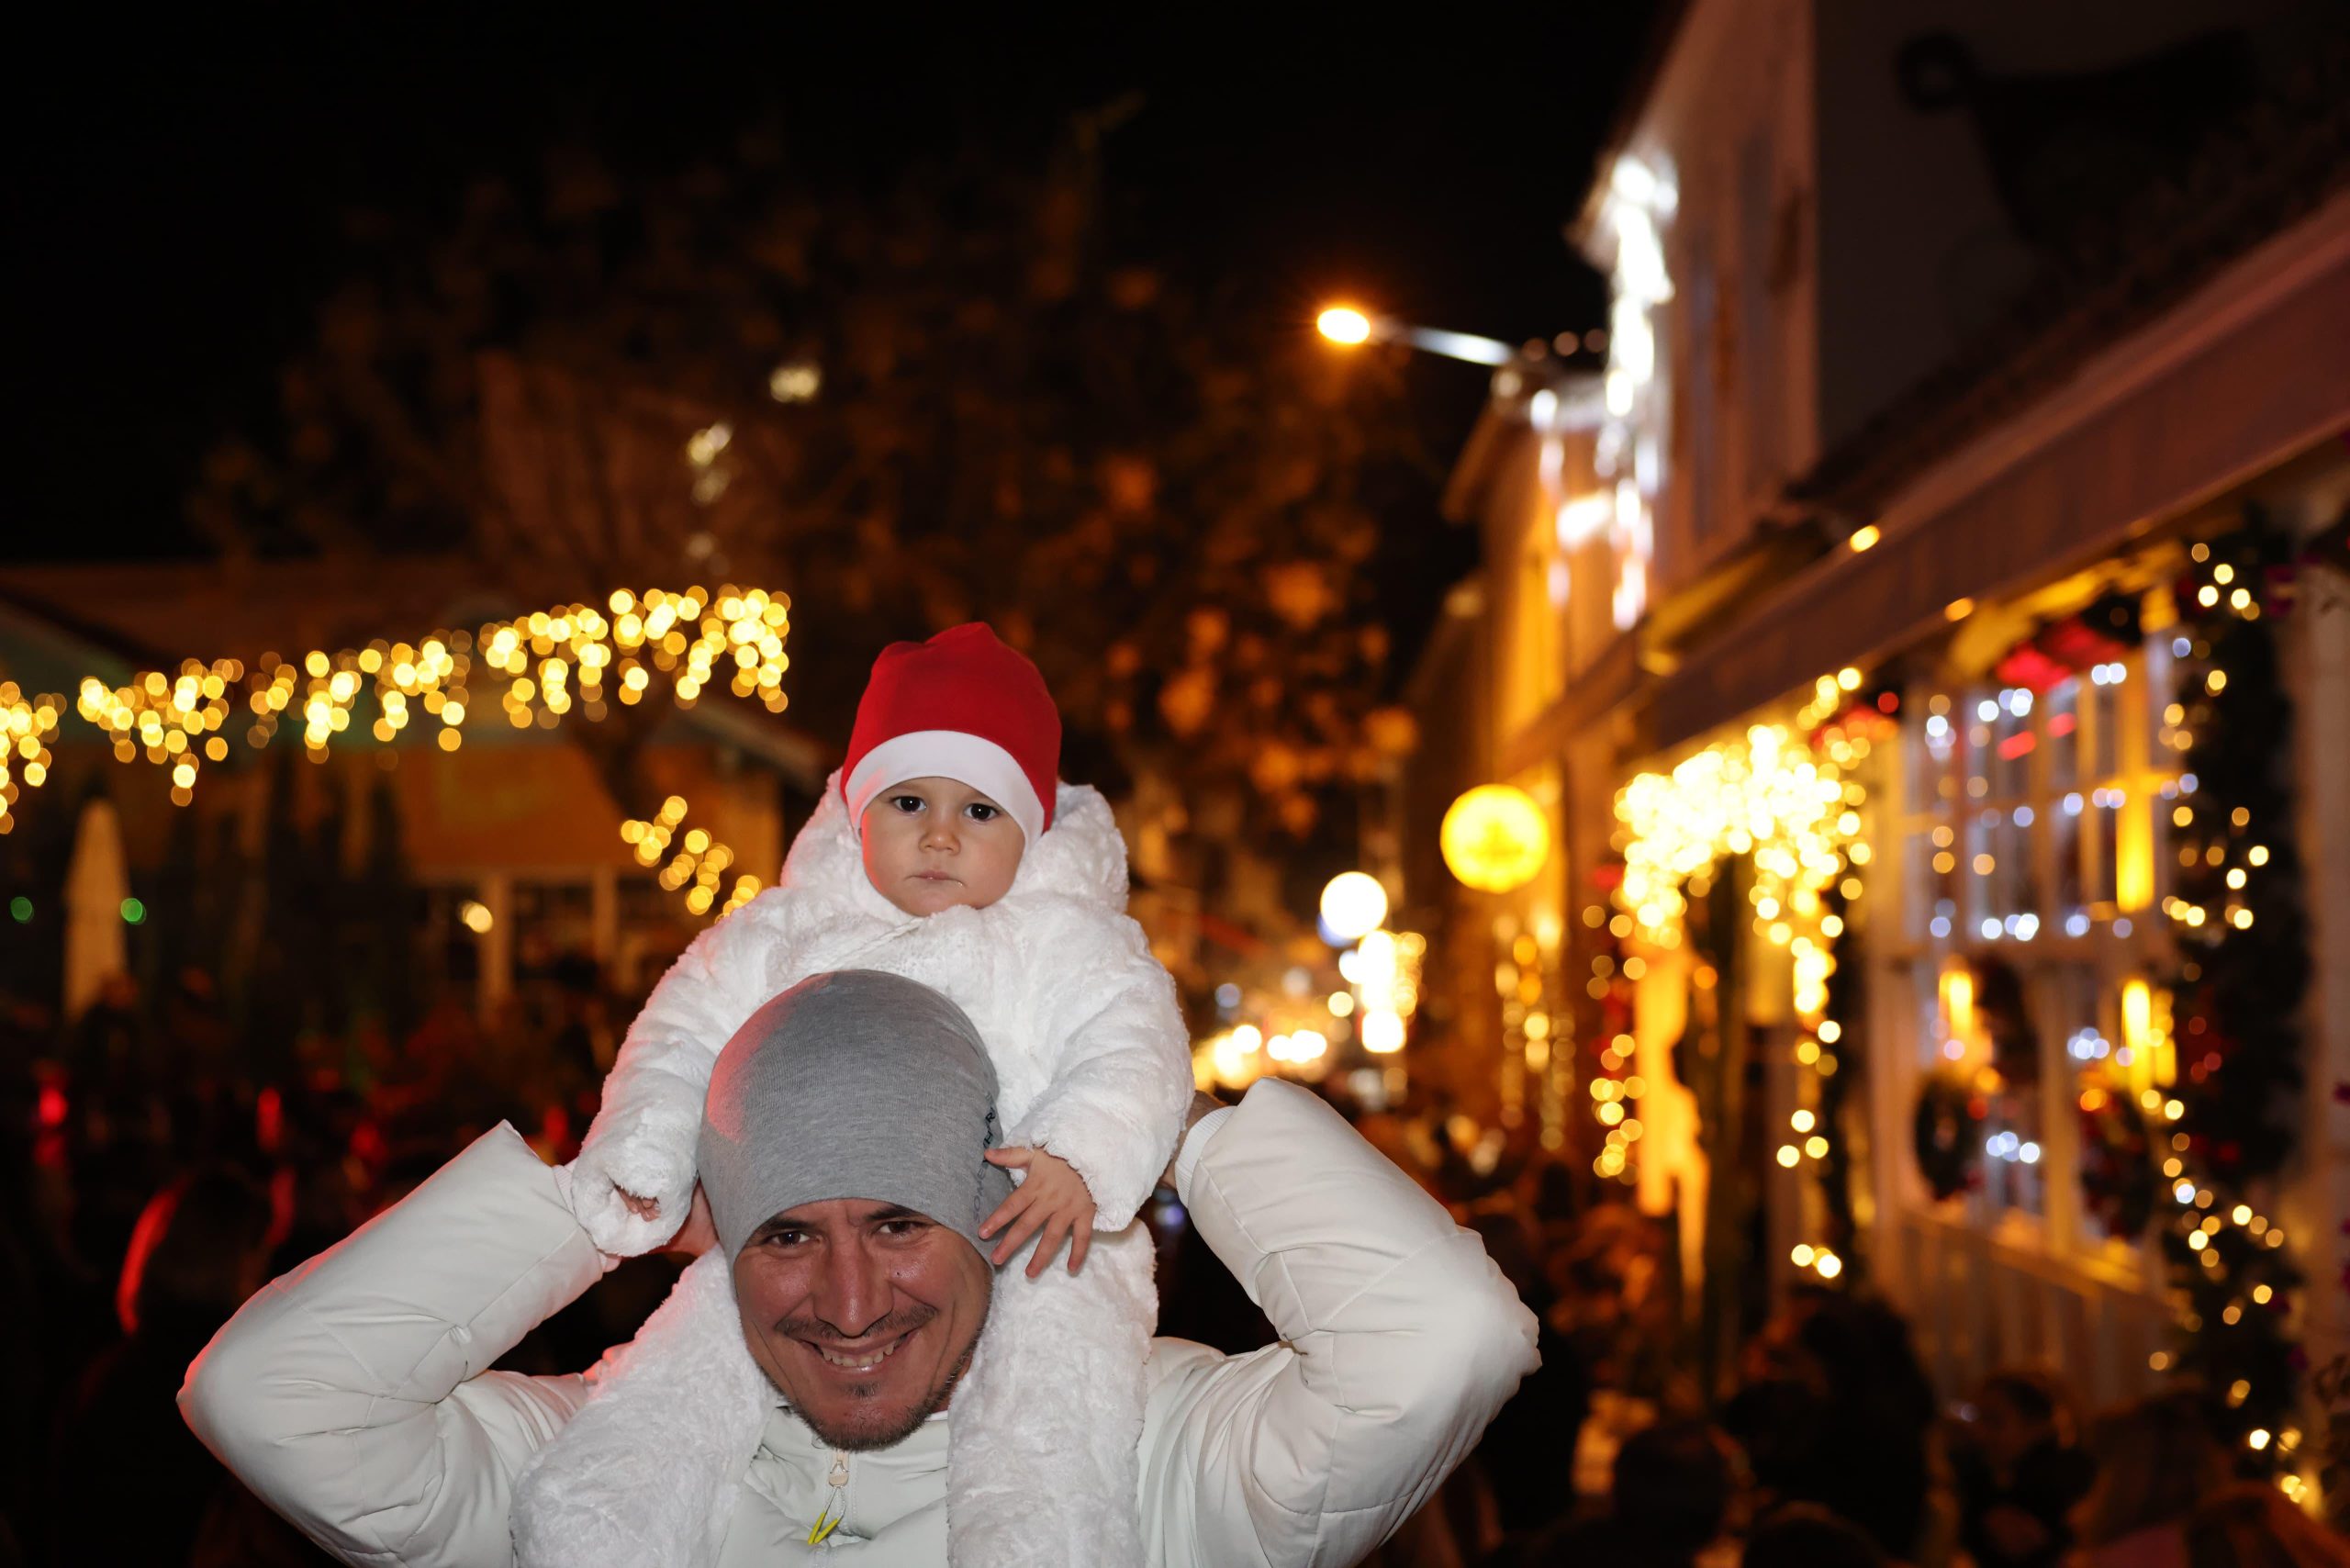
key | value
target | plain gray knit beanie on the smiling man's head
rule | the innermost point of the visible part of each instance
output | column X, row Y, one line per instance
column 852, row 1085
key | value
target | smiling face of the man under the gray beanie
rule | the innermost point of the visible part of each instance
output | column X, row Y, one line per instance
column 861, row 1313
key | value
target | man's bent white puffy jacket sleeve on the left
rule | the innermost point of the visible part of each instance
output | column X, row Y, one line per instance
column 356, row 1398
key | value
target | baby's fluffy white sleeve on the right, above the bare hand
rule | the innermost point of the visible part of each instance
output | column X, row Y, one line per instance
column 1122, row 1064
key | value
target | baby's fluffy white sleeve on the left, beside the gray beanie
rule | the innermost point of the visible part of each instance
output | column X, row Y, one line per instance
column 652, row 1111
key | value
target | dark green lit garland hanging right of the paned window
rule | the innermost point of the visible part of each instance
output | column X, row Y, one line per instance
column 2236, row 993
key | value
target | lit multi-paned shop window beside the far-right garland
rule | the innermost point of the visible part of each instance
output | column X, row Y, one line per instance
column 2029, row 878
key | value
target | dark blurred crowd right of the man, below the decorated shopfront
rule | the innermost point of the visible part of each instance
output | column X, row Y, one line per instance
column 1822, row 1447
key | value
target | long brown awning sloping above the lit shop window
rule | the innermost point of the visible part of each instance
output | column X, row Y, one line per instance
column 2241, row 377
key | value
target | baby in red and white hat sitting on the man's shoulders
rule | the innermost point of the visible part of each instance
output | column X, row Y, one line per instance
column 944, row 852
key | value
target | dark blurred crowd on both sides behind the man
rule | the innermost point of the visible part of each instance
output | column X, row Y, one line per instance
column 159, row 1181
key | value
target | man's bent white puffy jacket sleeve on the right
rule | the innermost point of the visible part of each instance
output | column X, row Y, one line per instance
column 1397, row 1343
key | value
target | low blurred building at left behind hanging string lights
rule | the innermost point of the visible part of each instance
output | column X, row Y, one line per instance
column 506, row 850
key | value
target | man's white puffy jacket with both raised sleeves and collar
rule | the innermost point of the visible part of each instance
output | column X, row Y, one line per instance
column 356, row 1393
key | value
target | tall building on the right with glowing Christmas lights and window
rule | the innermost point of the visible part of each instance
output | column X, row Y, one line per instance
column 1926, row 634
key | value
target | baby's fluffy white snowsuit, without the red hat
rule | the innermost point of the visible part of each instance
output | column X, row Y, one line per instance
column 1094, row 1066
